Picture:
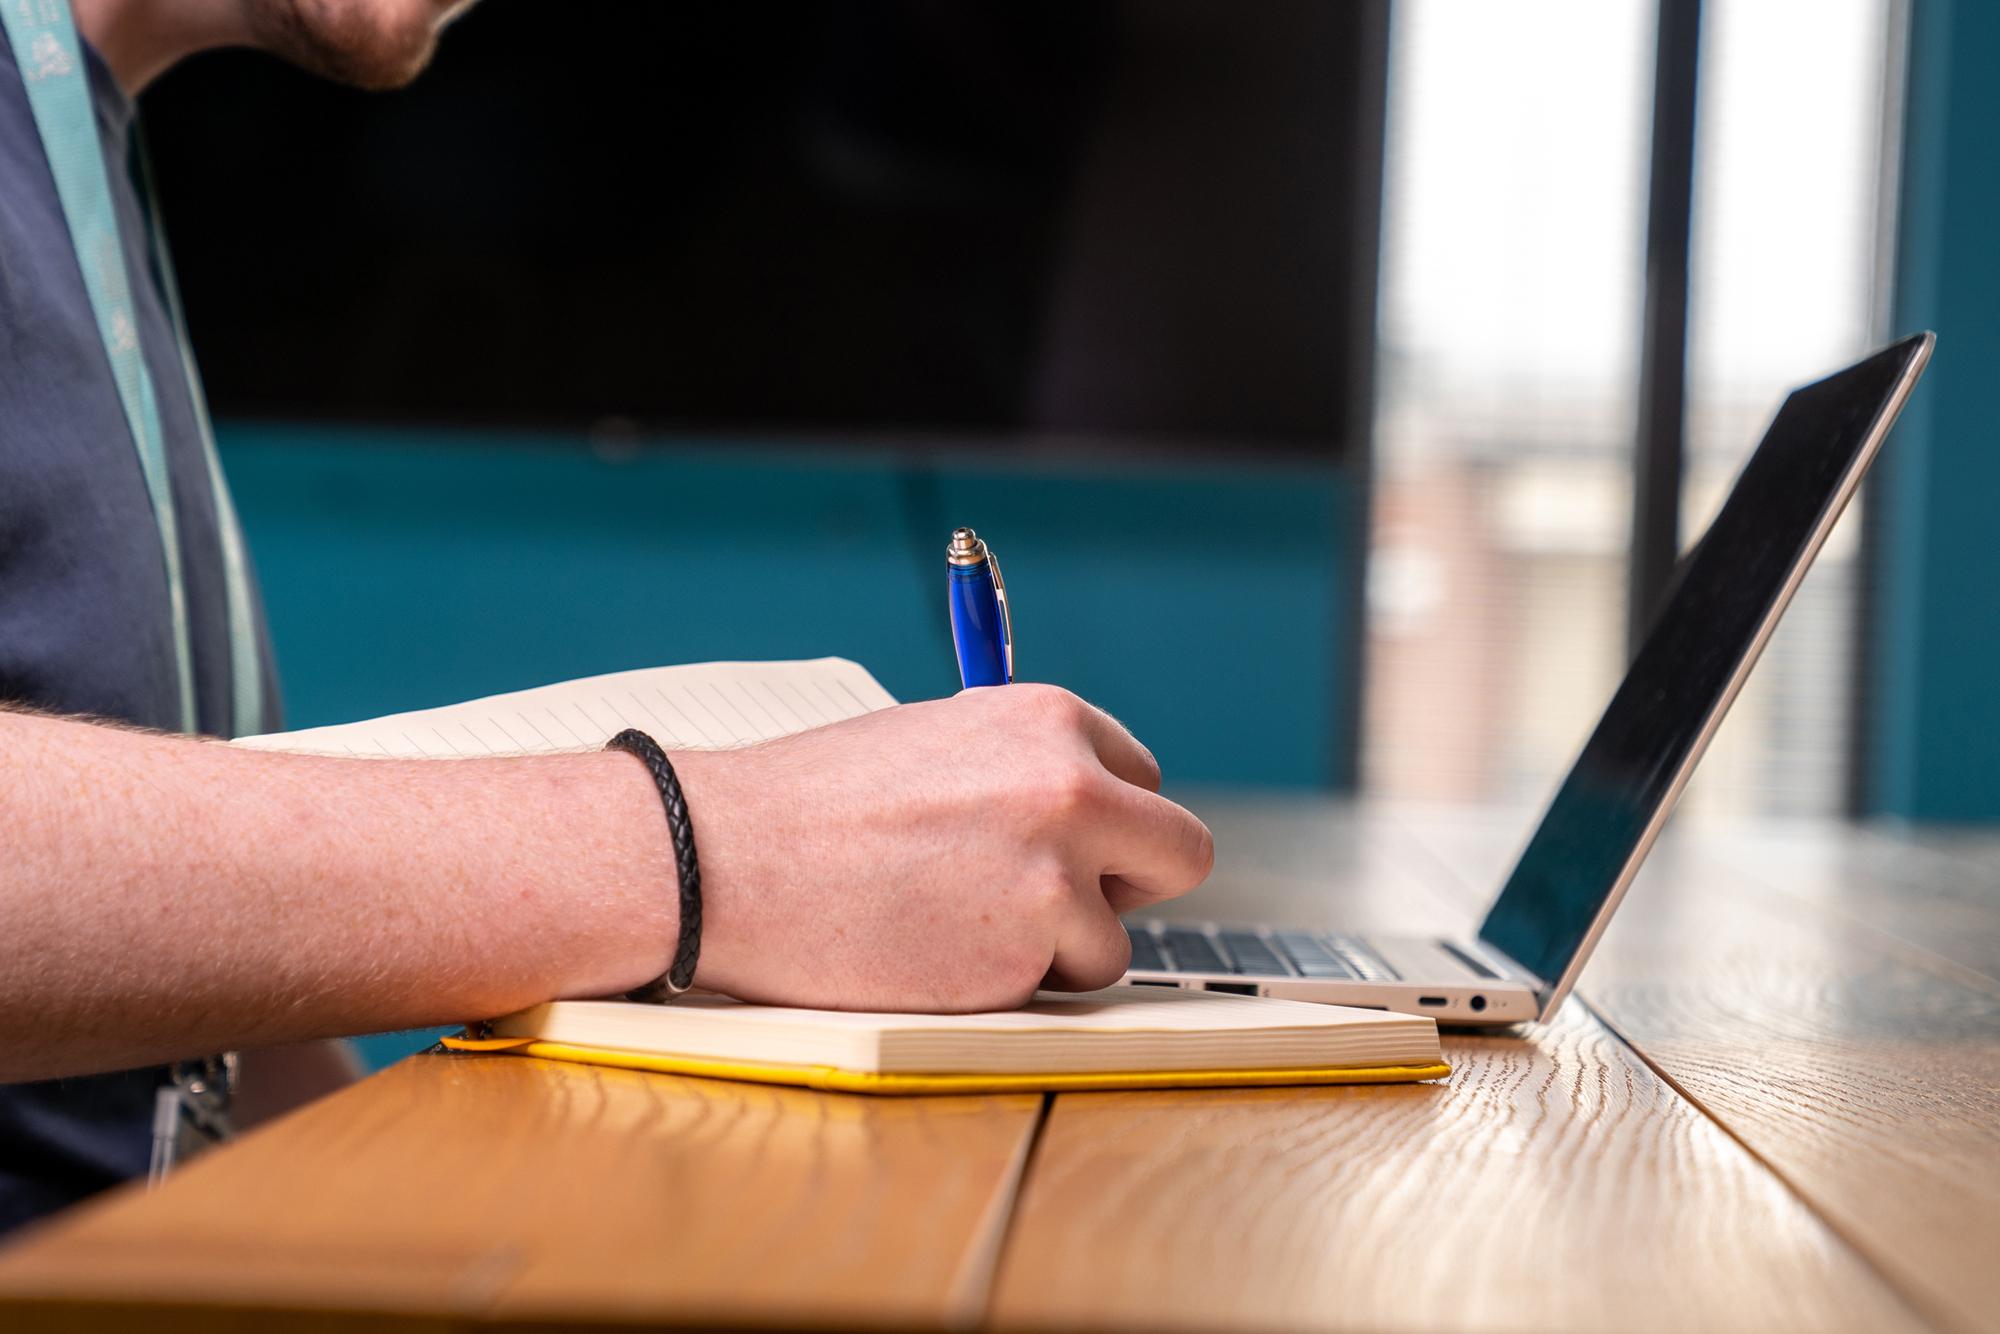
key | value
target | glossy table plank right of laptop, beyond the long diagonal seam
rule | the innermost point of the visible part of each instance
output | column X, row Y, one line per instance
column 1859, row 1067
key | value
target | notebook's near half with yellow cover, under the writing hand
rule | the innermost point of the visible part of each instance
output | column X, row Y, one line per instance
column 1113, row 1039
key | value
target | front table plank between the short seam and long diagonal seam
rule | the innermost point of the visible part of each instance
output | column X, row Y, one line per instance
column 1553, row 1185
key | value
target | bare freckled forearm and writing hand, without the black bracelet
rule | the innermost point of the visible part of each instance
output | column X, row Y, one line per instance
column 933, row 857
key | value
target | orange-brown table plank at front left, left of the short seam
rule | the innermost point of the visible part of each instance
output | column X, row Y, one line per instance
column 507, row 1189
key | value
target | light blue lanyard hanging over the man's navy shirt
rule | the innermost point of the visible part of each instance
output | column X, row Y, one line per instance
column 51, row 63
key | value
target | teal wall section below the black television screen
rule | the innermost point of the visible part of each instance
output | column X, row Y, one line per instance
column 1199, row 603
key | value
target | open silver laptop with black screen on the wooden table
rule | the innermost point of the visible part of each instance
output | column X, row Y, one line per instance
column 1727, row 599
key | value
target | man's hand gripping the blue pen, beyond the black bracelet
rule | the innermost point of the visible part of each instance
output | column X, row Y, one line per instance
column 935, row 857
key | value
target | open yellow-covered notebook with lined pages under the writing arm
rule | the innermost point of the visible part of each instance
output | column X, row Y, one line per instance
column 1115, row 1039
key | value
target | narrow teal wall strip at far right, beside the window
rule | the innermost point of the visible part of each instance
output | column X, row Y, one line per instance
column 1935, row 703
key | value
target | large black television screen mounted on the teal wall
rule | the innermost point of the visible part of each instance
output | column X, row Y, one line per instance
column 1149, row 219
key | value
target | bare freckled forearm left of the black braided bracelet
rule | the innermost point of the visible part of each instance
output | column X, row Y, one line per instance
column 165, row 897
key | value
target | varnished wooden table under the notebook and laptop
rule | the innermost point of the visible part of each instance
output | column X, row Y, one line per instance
column 1779, row 1109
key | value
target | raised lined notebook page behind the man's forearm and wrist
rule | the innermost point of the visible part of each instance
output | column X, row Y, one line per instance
column 703, row 707
